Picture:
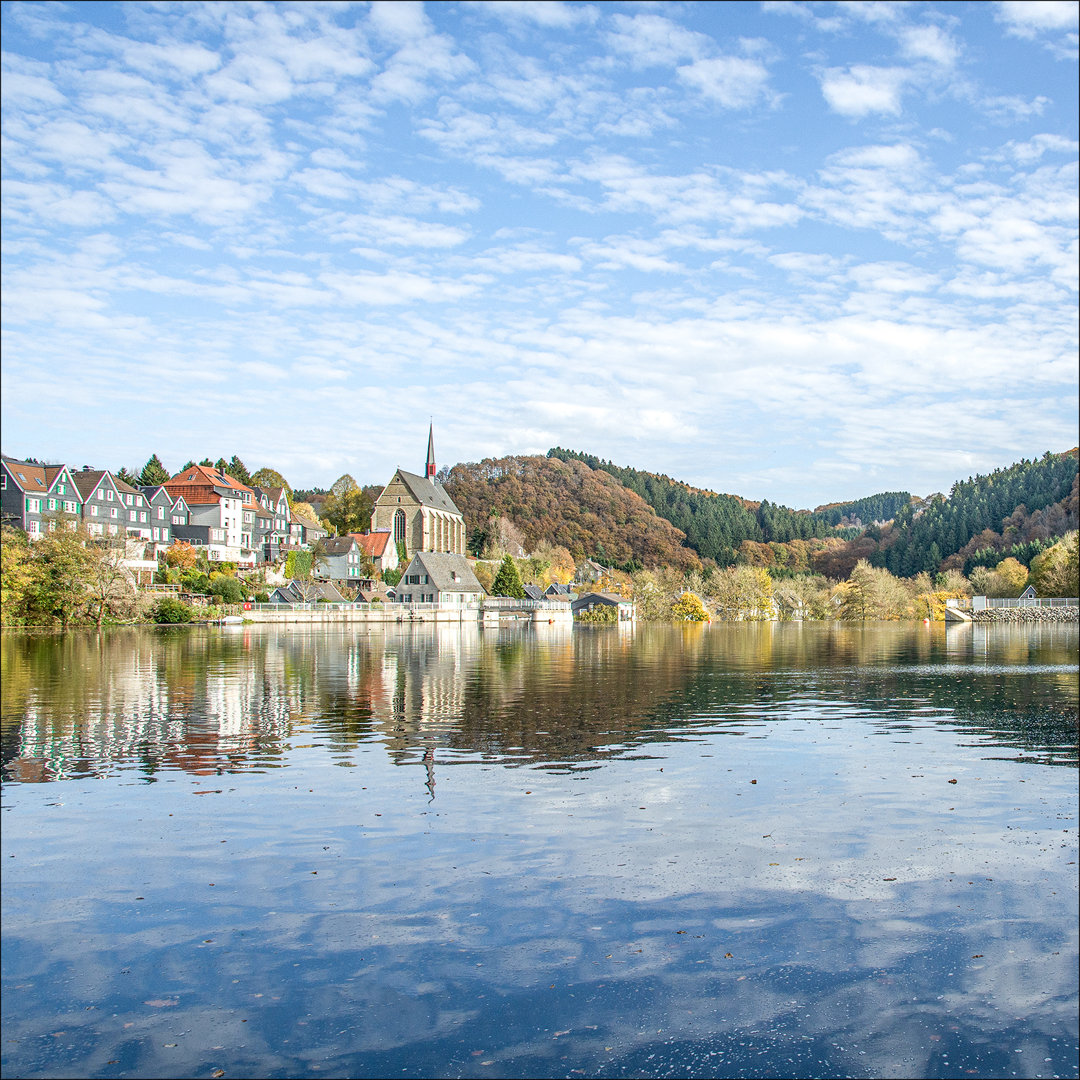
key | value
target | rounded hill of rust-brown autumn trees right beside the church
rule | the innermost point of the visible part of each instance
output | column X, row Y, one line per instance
column 569, row 505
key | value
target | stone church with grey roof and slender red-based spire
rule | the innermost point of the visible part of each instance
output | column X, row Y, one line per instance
column 418, row 514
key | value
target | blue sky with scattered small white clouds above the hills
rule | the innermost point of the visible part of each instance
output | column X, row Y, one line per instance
column 804, row 252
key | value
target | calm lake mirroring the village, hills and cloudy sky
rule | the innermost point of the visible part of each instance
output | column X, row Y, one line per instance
column 740, row 850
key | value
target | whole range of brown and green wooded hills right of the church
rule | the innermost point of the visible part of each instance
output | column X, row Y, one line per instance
column 622, row 516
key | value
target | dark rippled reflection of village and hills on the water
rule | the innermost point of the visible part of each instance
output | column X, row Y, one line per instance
column 208, row 701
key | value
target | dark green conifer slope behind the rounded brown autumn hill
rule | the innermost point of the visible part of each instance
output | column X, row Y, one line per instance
column 715, row 525
